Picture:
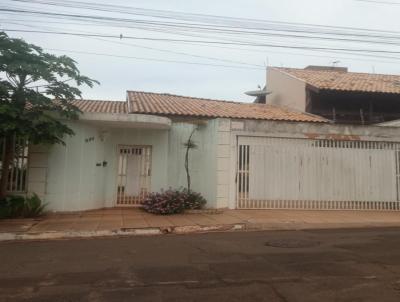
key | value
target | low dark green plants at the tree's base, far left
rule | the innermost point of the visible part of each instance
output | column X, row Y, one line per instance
column 16, row 206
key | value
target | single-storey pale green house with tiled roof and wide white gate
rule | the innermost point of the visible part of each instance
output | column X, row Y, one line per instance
column 250, row 156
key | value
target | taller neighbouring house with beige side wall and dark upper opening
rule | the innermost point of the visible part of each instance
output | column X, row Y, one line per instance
column 336, row 94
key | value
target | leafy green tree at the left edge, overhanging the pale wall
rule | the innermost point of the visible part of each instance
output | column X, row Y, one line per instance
column 35, row 95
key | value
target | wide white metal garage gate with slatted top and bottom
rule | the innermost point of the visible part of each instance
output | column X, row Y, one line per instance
column 281, row 173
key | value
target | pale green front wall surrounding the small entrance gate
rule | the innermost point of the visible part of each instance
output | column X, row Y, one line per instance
column 73, row 178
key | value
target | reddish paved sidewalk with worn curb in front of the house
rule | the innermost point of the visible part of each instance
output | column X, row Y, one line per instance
column 129, row 221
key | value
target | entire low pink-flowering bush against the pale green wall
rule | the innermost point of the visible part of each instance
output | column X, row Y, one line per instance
column 173, row 202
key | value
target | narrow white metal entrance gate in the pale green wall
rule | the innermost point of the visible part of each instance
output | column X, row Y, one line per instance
column 134, row 173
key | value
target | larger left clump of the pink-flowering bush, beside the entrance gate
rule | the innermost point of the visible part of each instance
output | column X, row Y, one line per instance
column 165, row 203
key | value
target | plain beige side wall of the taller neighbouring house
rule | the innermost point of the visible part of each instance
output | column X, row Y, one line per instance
column 286, row 90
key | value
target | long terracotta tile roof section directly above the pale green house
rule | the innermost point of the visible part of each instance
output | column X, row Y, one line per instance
column 174, row 105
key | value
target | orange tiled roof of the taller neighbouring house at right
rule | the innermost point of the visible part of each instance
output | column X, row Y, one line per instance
column 346, row 81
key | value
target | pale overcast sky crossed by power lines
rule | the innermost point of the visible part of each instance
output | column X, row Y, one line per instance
column 117, row 73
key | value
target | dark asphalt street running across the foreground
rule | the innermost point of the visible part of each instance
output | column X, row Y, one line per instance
column 321, row 265
